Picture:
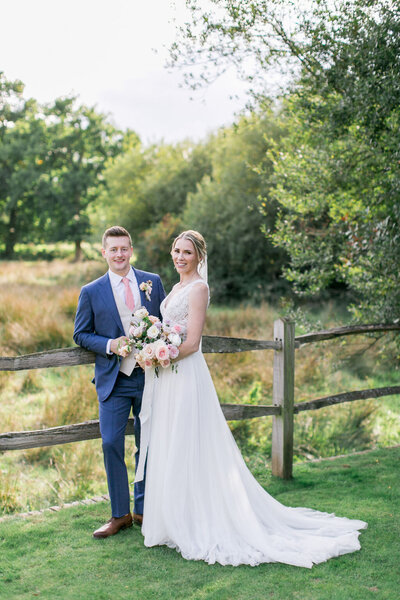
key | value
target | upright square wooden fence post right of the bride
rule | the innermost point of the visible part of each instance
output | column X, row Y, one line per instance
column 283, row 396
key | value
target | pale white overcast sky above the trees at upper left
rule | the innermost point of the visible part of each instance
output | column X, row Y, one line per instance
column 102, row 50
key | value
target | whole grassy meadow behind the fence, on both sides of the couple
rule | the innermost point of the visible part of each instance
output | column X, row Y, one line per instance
column 37, row 306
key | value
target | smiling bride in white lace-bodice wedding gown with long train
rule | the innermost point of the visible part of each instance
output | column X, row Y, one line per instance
column 200, row 497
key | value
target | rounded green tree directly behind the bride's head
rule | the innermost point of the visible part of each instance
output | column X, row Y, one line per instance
column 225, row 209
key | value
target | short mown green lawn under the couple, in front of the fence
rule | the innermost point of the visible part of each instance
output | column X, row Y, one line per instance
column 53, row 555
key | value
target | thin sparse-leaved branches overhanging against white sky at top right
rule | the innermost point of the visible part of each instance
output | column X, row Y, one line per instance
column 263, row 38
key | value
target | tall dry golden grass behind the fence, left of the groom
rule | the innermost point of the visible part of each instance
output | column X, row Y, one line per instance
column 37, row 306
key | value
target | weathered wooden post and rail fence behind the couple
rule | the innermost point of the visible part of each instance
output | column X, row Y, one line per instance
column 282, row 410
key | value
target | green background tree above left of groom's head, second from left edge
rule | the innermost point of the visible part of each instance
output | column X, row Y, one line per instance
column 83, row 142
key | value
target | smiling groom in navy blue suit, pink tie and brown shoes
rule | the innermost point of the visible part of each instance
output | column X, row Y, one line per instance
column 101, row 325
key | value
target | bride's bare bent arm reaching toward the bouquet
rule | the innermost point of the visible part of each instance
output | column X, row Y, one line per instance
column 198, row 301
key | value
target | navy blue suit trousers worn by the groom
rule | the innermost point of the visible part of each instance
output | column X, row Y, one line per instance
column 113, row 416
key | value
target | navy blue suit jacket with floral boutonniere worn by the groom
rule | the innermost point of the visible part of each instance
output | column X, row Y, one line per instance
column 97, row 320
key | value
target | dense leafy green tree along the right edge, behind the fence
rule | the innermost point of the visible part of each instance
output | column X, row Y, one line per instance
column 338, row 180
